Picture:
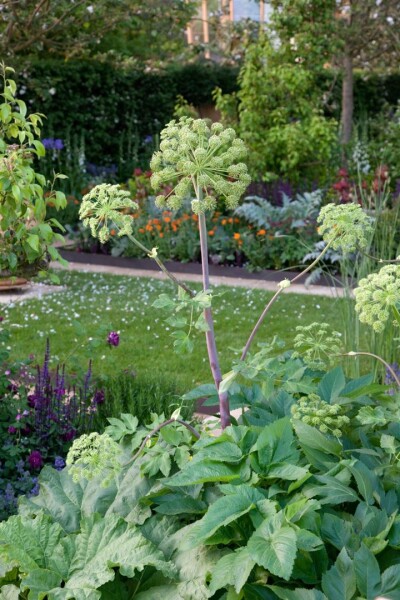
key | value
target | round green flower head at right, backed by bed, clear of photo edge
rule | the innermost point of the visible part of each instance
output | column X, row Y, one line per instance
column 345, row 227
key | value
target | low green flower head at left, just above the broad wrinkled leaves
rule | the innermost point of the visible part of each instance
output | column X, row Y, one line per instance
column 93, row 454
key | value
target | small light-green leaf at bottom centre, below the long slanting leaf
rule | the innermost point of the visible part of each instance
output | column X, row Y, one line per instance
column 232, row 569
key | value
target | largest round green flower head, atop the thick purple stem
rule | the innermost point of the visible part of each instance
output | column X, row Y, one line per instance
column 199, row 157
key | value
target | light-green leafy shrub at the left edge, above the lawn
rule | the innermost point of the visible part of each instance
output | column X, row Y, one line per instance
column 26, row 237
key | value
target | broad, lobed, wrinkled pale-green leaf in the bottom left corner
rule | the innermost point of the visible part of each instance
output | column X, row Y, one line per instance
column 75, row 566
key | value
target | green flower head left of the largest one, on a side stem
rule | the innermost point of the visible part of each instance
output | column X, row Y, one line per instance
column 104, row 206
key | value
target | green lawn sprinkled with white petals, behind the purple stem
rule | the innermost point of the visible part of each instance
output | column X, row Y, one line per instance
column 76, row 322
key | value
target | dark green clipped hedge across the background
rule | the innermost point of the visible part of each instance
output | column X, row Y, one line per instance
column 117, row 110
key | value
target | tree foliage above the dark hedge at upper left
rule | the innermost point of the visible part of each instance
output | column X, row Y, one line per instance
column 121, row 29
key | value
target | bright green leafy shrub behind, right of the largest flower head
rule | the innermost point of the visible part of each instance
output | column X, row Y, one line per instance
column 281, row 118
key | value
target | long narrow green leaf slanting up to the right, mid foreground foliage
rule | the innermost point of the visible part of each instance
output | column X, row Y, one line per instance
column 223, row 511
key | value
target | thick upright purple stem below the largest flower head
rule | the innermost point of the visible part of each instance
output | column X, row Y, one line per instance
column 210, row 336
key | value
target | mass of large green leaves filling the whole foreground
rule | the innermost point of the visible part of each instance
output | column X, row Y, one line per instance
column 264, row 510
